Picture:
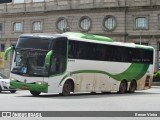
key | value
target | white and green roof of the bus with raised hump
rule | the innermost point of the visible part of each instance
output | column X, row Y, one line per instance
column 87, row 38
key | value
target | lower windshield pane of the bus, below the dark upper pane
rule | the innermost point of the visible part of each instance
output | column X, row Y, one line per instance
column 30, row 62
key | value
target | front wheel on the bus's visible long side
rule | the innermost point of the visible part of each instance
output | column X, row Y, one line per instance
column 66, row 88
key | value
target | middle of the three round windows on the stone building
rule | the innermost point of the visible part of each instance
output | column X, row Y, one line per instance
column 85, row 23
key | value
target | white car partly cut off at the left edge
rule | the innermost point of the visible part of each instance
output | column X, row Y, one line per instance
column 4, row 84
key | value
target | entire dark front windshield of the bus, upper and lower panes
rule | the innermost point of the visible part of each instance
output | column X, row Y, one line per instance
column 30, row 56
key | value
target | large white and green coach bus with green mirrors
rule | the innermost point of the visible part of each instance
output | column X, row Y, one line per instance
column 77, row 62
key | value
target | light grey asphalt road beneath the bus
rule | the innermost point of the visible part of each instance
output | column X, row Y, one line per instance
column 147, row 100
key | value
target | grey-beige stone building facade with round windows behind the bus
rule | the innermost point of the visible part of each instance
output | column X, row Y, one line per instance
column 135, row 21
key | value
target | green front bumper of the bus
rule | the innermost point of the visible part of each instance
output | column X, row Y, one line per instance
column 29, row 86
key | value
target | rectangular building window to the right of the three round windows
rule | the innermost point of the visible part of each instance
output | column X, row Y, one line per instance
column 141, row 23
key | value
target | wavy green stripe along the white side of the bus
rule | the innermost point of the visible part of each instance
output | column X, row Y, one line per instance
column 134, row 71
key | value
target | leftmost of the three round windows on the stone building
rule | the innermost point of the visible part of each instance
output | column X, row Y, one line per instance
column 61, row 24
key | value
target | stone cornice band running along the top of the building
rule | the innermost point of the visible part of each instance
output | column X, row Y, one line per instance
column 70, row 5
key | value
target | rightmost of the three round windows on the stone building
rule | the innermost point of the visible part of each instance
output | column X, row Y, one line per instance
column 109, row 23
